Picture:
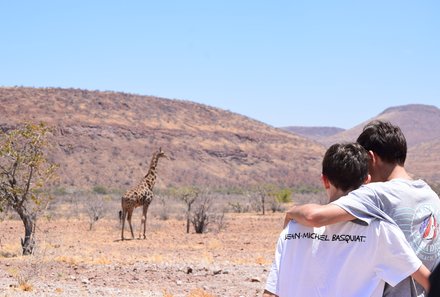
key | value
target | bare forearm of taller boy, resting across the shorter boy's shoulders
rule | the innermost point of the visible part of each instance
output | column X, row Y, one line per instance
column 316, row 215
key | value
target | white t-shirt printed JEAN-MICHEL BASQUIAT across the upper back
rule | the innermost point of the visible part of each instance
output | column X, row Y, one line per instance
column 341, row 260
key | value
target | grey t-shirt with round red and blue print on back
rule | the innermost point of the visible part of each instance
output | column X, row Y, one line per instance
column 414, row 207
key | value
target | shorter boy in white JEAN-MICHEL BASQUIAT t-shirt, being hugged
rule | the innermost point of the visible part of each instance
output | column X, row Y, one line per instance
column 349, row 259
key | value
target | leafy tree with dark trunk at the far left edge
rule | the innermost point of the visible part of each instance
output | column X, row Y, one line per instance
column 25, row 171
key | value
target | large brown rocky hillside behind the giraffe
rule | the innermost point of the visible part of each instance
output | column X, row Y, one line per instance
column 107, row 139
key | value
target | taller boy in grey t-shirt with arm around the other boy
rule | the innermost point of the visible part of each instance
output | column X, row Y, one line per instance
column 392, row 195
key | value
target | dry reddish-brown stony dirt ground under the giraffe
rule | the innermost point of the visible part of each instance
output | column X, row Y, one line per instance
column 72, row 261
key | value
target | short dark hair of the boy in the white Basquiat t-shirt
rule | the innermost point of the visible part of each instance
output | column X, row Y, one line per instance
column 346, row 165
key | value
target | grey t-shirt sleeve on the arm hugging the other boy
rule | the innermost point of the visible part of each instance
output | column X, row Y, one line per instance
column 363, row 204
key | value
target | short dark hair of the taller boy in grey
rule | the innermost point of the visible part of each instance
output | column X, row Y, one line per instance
column 386, row 140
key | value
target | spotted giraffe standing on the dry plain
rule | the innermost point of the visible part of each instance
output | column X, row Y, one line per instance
column 141, row 195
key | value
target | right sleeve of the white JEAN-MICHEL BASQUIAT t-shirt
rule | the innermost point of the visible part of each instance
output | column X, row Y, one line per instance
column 395, row 257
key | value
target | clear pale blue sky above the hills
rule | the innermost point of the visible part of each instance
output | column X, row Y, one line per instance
column 285, row 63
